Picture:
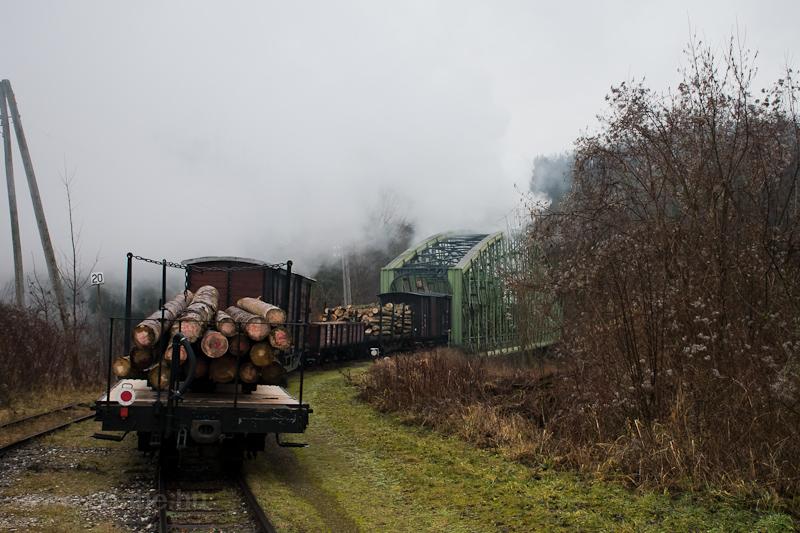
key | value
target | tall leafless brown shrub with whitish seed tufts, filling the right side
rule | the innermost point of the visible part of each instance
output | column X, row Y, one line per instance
column 676, row 255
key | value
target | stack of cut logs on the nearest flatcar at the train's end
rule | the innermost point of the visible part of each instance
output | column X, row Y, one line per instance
column 251, row 331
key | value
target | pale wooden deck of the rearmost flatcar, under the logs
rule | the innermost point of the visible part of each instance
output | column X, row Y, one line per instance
column 263, row 396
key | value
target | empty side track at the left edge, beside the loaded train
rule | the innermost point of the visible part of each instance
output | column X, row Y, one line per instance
column 18, row 433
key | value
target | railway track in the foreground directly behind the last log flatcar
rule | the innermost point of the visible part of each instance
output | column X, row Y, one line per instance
column 205, row 493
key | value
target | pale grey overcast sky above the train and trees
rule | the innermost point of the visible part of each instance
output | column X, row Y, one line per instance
column 268, row 129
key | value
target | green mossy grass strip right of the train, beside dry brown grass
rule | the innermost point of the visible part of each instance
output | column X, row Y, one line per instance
column 367, row 472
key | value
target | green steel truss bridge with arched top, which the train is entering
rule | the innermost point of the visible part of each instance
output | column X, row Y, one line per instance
column 488, row 314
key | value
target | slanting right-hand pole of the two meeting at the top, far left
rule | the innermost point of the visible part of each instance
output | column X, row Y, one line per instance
column 44, row 234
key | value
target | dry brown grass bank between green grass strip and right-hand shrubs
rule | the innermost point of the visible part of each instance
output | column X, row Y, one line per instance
column 539, row 415
